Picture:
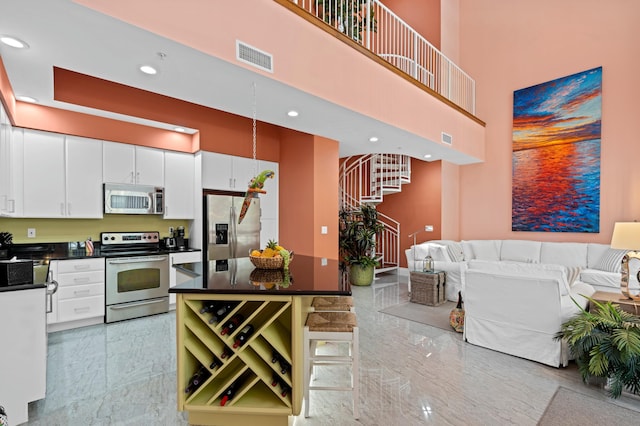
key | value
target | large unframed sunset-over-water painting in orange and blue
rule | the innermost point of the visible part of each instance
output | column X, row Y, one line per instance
column 556, row 155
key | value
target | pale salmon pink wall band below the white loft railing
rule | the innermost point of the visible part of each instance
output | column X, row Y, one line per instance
column 213, row 29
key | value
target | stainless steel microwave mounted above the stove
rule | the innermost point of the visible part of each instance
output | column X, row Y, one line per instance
column 133, row 199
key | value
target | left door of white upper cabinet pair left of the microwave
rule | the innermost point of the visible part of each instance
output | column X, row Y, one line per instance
column 44, row 179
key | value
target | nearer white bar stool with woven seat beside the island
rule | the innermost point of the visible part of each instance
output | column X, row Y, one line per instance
column 334, row 327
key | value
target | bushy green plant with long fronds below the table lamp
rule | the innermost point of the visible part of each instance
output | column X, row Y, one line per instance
column 606, row 344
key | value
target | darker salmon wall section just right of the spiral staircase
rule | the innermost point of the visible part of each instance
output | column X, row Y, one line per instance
column 417, row 205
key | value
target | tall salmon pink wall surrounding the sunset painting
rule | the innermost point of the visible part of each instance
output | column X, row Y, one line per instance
column 509, row 45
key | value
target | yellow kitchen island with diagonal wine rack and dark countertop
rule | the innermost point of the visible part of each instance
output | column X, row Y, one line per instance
column 275, row 304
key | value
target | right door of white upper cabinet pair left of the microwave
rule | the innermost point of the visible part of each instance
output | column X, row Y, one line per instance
column 84, row 177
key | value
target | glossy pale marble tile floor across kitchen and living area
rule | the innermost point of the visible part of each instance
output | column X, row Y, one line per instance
column 411, row 374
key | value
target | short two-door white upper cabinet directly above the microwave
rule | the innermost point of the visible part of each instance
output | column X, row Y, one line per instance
column 124, row 163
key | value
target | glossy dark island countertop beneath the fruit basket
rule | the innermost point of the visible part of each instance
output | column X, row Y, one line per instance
column 307, row 276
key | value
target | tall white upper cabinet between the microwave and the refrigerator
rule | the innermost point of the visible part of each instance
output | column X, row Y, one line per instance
column 179, row 185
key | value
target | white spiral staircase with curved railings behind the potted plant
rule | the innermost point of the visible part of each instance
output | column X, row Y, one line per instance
column 367, row 179
